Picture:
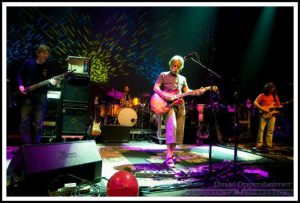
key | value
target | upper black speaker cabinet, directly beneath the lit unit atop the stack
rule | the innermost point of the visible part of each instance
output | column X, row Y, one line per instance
column 76, row 90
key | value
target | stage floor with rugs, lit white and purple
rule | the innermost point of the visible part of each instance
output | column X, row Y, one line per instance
column 255, row 172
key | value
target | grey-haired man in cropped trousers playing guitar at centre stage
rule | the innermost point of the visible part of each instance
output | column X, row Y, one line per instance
column 166, row 86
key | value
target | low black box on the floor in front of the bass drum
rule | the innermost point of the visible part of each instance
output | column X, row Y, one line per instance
column 114, row 133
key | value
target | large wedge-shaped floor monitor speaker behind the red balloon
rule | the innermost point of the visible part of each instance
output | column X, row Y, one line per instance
column 50, row 166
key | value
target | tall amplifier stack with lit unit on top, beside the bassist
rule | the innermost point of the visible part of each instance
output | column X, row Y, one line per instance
column 75, row 99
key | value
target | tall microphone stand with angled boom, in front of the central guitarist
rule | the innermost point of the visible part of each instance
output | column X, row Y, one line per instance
column 211, row 74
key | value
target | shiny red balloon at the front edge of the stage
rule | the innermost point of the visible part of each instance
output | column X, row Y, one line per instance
column 122, row 183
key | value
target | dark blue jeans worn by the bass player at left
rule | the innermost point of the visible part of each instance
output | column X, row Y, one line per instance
column 32, row 116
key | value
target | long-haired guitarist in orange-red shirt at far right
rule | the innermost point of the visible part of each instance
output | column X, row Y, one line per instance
column 267, row 102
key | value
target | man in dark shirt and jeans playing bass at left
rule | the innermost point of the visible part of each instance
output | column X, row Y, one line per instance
column 33, row 106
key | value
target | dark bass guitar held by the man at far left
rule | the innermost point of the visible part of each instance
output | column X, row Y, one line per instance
column 18, row 97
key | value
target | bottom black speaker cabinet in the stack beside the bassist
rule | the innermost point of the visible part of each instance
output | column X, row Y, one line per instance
column 74, row 119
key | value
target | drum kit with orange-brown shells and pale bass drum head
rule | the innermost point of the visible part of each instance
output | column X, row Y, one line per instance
column 124, row 113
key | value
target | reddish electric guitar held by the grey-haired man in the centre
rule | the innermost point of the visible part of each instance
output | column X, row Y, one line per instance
column 160, row 106
